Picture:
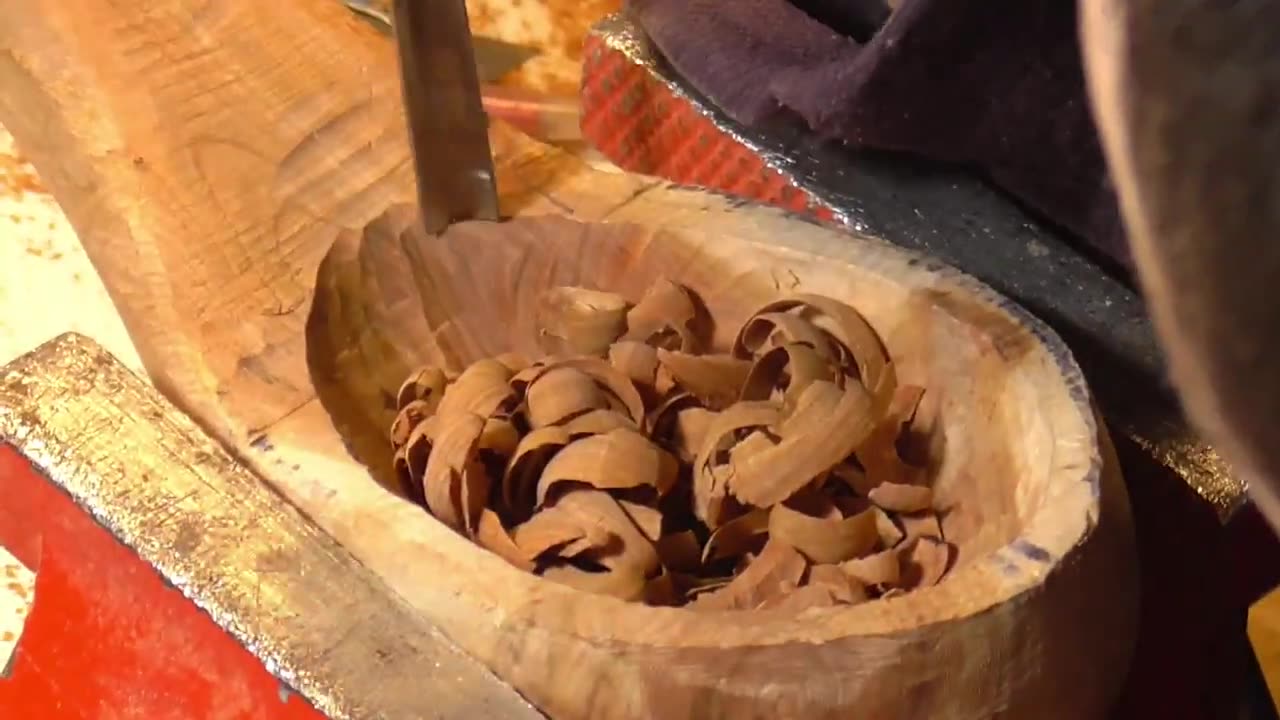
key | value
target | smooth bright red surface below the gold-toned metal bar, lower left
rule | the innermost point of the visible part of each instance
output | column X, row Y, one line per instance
column 107, row 637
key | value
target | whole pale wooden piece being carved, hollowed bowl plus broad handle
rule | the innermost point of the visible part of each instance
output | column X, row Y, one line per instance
column 211, row 154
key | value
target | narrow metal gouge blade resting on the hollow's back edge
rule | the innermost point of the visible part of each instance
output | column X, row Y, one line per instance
column 447, row 124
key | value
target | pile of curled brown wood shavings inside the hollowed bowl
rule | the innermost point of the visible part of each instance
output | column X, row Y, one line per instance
column 629, row 464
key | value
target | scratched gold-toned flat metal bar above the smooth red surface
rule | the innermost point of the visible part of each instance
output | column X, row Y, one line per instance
column 317, row 618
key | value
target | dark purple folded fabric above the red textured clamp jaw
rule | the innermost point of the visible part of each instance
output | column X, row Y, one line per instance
column 990, row 84
